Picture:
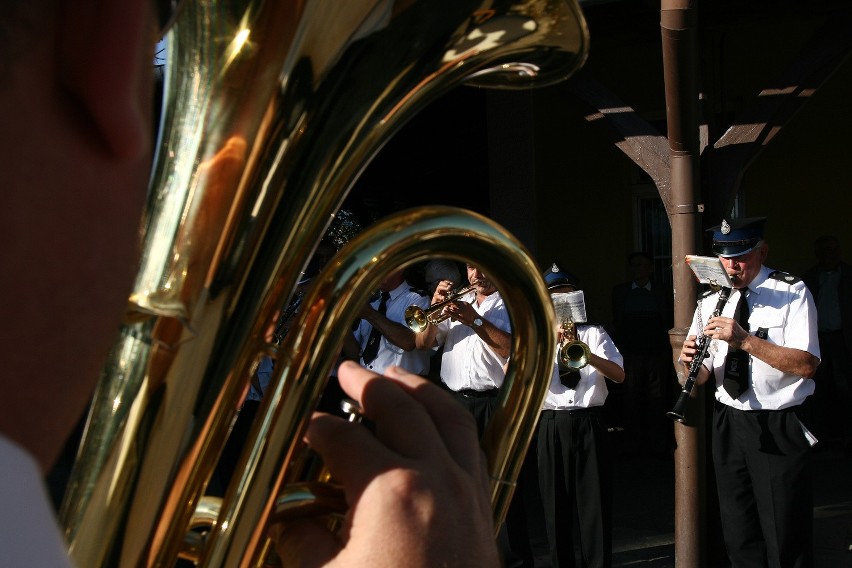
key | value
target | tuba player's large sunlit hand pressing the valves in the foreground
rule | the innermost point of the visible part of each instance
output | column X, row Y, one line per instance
column 417, row 490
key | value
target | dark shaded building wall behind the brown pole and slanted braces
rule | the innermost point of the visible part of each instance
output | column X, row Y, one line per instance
column 801, row 180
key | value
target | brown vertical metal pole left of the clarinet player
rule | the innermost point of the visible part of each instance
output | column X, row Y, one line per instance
column 678, row 27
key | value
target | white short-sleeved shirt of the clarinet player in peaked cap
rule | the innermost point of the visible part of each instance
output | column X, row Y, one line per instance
column 783, row 313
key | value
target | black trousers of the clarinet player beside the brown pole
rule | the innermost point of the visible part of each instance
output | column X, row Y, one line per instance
column 764, row 482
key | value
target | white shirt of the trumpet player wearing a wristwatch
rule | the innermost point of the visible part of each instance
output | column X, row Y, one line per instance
column 467, row 362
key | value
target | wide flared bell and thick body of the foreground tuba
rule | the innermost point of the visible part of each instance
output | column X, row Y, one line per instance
column 268, row 121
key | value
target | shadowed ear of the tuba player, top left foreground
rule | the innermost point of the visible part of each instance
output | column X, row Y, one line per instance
column 105, row 61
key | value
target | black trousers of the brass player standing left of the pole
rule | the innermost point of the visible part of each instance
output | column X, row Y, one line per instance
column 572, row 454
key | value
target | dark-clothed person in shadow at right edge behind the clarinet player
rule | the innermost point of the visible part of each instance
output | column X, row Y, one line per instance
column 830, row 282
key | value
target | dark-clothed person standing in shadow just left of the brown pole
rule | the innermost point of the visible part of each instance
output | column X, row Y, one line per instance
column 642, row 315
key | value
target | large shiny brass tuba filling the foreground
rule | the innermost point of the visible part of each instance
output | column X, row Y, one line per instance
column 271, row 110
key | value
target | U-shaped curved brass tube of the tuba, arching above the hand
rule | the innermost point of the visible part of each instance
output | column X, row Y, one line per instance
column 335, row 300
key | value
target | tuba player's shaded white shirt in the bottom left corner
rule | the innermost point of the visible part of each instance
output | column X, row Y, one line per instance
column 29, row 535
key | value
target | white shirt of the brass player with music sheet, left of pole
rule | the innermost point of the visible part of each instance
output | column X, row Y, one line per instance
column 591, row 390
